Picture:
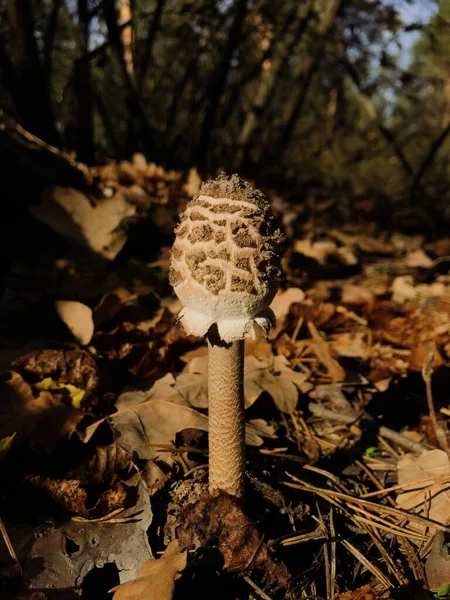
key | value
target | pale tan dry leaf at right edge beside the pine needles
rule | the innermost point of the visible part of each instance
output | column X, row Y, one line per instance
column 427, row 498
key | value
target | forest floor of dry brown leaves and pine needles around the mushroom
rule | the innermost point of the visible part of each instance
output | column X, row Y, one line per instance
column 103, row 442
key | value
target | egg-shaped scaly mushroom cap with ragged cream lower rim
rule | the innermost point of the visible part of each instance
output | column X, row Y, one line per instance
column 225, row 262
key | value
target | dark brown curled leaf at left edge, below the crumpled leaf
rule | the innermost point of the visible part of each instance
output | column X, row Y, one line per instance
column 44, row 419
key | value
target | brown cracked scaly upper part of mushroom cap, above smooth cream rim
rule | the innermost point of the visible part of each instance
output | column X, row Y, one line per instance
column 225, row 236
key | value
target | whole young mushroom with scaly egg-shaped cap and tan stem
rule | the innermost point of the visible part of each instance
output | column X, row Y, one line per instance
column 225, row 269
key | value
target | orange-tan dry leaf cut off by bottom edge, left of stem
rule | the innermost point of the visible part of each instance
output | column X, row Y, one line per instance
column 157, row 577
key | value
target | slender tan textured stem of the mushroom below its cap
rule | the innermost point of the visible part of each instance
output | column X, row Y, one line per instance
column 226, row 416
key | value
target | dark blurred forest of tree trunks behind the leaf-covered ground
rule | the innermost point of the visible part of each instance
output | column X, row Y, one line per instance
column 348, row 97
